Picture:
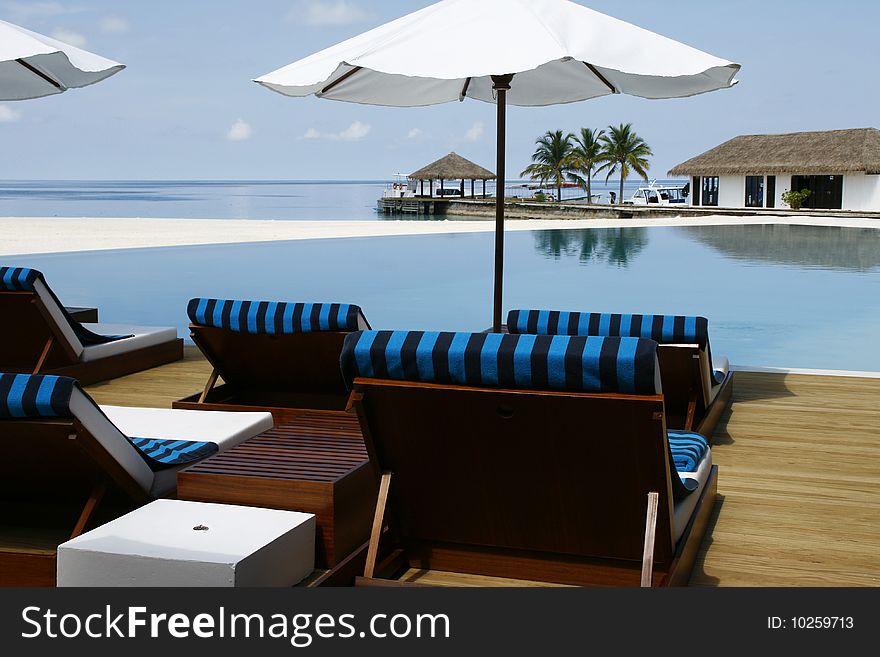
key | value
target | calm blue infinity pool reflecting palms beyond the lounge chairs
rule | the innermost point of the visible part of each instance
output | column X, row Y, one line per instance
column 777, row 296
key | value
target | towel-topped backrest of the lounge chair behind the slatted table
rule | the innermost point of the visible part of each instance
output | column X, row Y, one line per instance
column 275, row 346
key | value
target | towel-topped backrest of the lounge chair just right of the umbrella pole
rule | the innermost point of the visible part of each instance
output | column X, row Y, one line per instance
column 684, row 353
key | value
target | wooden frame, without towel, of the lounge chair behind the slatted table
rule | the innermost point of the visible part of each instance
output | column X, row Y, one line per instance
column 302, row 373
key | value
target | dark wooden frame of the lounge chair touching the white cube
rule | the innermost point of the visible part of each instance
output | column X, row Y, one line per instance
column 57, row 480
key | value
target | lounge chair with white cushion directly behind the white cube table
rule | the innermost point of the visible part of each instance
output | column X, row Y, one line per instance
column 69, row 463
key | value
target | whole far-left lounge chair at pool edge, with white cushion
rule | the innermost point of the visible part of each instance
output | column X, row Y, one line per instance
column 38, row 335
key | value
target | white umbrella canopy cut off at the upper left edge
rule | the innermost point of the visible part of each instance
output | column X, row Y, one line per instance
column 33, row 65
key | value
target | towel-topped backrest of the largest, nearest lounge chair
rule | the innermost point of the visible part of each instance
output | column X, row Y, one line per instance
column 545, row 444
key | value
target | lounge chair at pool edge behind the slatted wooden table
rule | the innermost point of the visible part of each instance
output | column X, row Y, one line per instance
column 271, row 355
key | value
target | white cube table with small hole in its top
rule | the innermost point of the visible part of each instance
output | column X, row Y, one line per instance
column 178, row 543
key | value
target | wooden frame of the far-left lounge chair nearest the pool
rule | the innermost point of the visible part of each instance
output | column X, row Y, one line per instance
column 40, row 346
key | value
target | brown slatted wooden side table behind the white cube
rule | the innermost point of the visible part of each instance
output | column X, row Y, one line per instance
column 316, row 463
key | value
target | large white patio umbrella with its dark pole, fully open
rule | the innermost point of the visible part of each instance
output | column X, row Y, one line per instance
column 524, row 52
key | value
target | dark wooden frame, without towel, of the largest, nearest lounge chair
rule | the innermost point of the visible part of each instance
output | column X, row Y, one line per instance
column 482, row 481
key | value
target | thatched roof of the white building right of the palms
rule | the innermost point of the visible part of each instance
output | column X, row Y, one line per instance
column 829, row 152
